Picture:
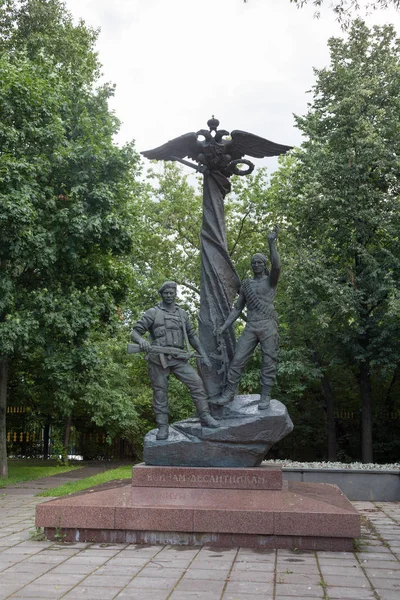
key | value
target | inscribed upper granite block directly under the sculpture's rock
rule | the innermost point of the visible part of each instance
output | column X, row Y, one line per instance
column 256, row 478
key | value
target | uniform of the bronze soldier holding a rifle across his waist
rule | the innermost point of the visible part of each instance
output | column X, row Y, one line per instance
column 166, row 328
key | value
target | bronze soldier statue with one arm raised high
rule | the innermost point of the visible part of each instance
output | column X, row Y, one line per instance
column 258, row 295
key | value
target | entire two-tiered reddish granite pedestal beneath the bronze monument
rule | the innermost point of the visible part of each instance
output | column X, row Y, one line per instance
column 214, row 506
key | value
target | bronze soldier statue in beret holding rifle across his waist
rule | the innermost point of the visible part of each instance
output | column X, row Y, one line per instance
column 170, row 329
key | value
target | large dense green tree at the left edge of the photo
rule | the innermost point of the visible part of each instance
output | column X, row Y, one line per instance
column 65, row 189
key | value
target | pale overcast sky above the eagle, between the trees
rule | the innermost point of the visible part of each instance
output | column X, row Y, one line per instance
column 177, row 62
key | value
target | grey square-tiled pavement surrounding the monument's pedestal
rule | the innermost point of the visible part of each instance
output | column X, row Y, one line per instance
column 31, row 568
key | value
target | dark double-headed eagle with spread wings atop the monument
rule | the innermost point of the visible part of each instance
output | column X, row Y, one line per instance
column 217, row 150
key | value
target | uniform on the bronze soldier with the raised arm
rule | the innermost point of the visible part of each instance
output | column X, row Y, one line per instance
column 261, row 327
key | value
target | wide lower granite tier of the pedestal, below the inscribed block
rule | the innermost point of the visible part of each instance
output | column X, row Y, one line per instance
column 300, row 510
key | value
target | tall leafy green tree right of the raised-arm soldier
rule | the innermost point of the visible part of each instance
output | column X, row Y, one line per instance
column 340, row 198
